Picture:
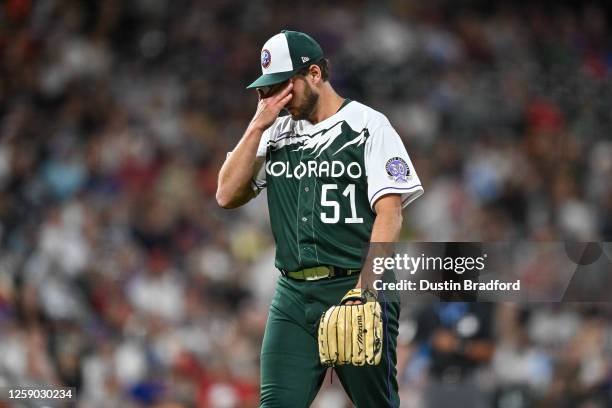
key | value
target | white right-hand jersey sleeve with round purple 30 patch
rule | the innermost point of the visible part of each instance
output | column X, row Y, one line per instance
column 388, row 167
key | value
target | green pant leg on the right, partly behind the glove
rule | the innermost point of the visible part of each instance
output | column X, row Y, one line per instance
column 376, row 386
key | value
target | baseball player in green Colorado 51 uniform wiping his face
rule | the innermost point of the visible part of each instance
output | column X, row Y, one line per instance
column 338, row 177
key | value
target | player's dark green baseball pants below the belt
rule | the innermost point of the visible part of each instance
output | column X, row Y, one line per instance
column 291, row 373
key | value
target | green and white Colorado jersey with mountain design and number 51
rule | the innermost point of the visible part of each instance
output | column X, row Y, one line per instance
column 324, row 179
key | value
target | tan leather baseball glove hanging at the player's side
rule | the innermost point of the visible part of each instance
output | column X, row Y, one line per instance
column 352, row 334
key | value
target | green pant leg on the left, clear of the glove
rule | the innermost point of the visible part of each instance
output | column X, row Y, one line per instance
column 291, row 374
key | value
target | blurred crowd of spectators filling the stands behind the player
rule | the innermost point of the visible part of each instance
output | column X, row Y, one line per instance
column 119, row 274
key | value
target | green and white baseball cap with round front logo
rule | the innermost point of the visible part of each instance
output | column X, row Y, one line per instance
column 283, row 55
